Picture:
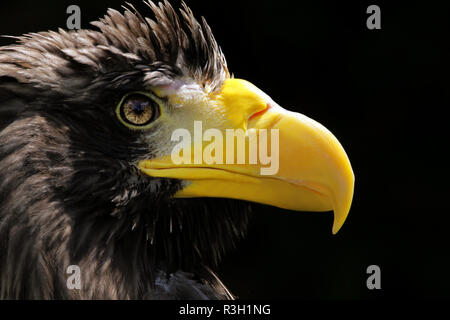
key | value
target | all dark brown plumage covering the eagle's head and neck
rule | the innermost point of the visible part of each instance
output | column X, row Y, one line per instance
column 69, row 192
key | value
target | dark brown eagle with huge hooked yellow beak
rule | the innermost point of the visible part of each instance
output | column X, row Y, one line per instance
column 87, row 177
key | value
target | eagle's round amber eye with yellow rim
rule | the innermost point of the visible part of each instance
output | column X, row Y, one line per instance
column 138, row 110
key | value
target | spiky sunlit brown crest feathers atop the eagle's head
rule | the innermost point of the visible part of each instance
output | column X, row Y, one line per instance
column 167, row 46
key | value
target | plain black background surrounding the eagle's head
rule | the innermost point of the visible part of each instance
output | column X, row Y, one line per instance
column 381, row 92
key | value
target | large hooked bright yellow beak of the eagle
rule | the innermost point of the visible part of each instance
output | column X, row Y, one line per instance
column 285, row 159
